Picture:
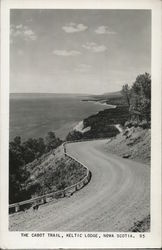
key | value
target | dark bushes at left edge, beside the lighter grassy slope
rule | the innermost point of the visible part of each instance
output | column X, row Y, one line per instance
column 21, row 153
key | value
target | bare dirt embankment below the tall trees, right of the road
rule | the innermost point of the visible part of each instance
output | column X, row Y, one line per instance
column 133, row 143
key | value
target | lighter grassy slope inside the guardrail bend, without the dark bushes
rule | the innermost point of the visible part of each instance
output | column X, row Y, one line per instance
column 53, row 172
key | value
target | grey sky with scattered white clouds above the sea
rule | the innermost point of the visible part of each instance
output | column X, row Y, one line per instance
column 78, row 51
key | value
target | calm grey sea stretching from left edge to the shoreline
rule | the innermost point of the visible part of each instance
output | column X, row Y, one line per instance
column 33, row 115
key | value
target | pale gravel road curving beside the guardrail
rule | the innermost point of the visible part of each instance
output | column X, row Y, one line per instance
column 117, row 196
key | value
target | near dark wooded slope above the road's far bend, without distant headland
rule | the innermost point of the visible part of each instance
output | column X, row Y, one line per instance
column 102, row 124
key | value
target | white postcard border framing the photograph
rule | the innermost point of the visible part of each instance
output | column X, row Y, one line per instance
column 153, row 239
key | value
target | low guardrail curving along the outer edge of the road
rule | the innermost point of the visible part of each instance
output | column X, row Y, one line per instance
column 15, row 207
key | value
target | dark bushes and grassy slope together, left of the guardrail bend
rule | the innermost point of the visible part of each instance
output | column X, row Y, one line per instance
column 38, row 166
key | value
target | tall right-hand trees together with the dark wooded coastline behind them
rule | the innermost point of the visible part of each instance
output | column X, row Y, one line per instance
column 133, row 108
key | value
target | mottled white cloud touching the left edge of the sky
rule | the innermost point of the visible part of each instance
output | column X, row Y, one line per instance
column 22, row 32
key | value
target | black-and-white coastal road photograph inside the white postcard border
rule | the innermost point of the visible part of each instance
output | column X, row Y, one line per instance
column 80, row 122
